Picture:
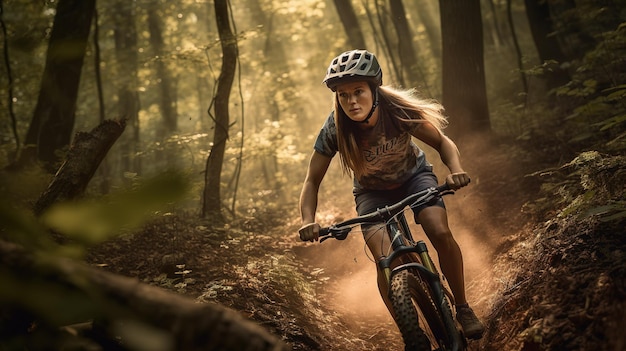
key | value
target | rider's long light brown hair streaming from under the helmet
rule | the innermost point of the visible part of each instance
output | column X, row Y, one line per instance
column 406, row 105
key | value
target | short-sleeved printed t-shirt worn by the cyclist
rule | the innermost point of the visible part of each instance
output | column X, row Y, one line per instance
column 391, row 157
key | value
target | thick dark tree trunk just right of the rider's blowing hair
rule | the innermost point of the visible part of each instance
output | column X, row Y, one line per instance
column 464, row 88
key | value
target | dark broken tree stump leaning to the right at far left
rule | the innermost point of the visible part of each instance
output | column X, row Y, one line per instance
column 85, row 155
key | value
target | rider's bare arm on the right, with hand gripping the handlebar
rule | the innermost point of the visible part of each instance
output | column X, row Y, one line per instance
column 448, row 152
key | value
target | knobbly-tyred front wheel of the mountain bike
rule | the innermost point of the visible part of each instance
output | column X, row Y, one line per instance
column 416, row 314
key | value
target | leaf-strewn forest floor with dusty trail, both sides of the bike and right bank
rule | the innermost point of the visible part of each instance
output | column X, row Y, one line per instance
column 538, row 282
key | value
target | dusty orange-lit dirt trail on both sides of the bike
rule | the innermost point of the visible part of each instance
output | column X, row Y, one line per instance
column 350, row 278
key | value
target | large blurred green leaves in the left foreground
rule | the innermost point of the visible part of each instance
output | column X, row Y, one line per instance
column 53, row 303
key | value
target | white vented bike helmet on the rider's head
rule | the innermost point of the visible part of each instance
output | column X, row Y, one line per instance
column 353, row 66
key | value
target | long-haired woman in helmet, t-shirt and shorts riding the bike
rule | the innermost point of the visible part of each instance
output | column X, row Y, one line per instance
column 371, row 128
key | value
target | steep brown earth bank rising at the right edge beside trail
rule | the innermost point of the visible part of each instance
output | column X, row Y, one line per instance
column 563, row 281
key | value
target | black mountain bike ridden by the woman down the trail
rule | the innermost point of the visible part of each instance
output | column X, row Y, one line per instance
column 420, row 301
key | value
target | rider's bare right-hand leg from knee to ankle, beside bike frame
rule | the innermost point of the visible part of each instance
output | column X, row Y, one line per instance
column 435, row 223
